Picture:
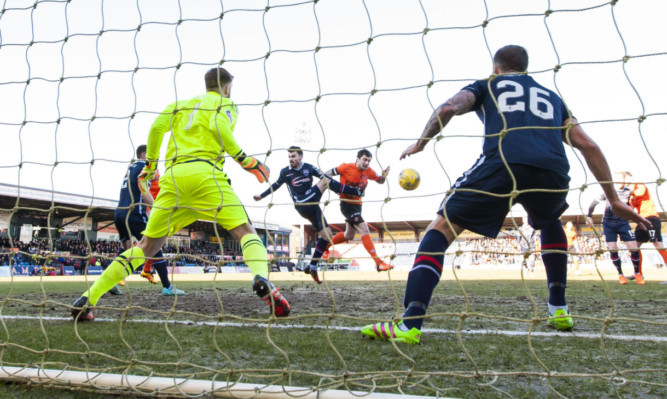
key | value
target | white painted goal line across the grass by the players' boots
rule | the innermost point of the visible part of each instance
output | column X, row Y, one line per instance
column 572, row 334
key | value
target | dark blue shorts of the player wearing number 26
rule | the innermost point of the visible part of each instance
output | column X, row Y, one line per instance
column 485, row 214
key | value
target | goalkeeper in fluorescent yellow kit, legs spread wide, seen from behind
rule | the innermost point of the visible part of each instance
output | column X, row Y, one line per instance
column 194, row 187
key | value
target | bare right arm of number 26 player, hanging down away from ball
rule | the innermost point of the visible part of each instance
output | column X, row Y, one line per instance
column 597, row 163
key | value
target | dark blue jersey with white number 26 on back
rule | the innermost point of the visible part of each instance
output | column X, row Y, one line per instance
column 534, row 116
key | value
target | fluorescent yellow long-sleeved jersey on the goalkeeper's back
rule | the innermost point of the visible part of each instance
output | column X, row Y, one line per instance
column 201, row 129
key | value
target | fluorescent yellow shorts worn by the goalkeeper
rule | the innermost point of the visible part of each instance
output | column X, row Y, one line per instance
column 190, row 192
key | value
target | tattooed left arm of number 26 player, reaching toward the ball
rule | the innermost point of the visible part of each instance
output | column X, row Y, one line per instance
column 461, row 103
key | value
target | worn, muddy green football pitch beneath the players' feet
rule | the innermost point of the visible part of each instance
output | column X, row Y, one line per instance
column 484, row 337
